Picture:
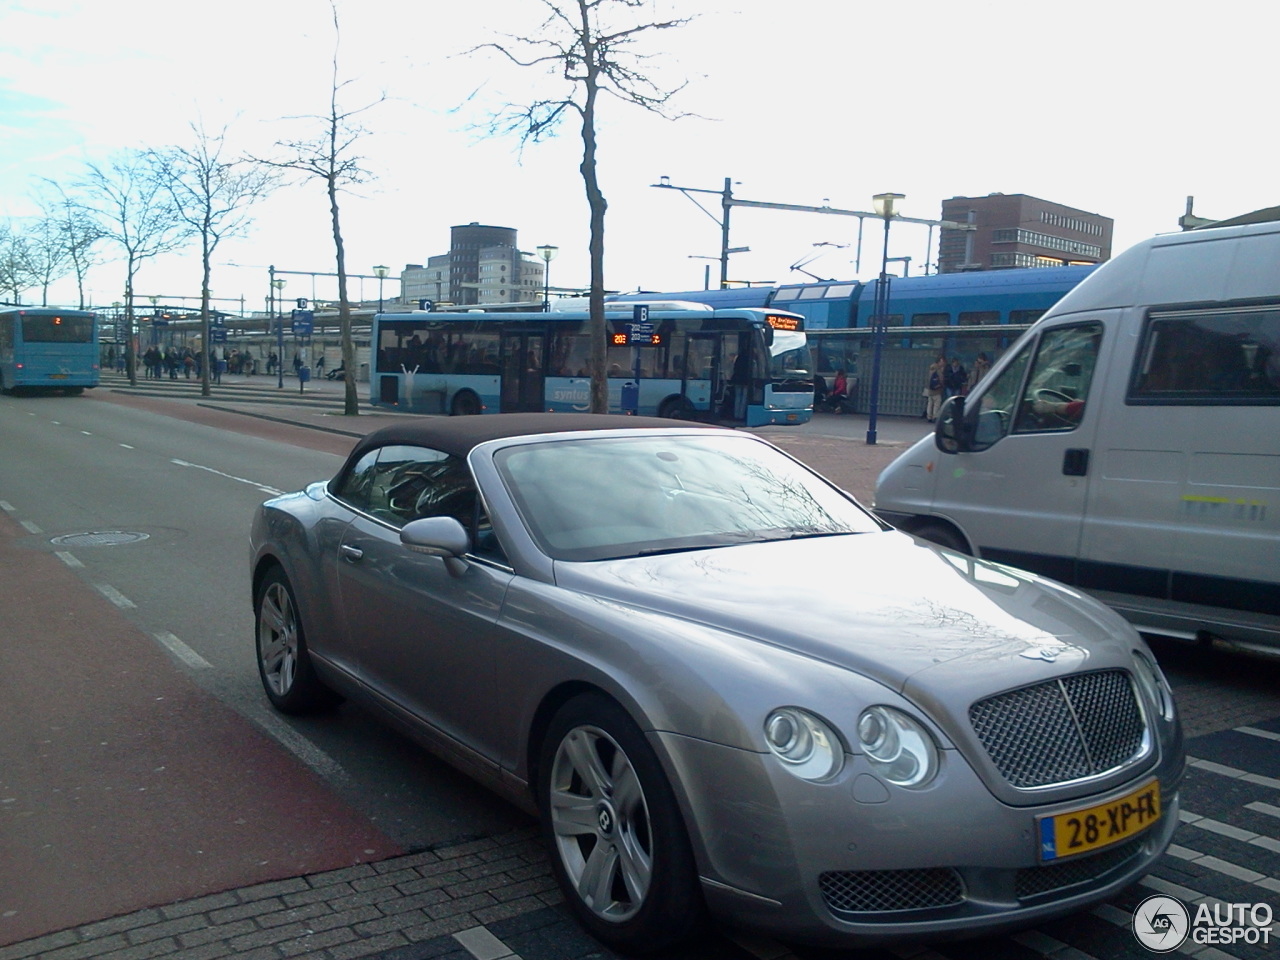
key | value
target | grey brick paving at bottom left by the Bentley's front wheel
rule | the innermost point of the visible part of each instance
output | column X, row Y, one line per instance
column 469, row 902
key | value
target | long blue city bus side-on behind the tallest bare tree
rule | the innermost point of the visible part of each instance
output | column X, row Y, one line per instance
column 732, row 367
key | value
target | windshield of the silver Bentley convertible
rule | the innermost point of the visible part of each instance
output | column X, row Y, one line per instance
column 610, row 497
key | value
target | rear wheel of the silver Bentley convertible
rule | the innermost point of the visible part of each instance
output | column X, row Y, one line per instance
column 284, row 662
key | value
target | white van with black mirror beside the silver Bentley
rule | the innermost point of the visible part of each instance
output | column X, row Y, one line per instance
column 1130, row 444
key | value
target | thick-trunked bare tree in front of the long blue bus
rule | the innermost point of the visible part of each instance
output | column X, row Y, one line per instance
column 591, row 47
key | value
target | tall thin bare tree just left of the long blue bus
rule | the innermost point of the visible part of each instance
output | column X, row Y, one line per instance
column 330, row 157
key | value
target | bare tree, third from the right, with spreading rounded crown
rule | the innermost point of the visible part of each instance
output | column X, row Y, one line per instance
column 212, row 196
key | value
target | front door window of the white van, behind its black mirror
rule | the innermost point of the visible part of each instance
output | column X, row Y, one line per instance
column 1059, row 383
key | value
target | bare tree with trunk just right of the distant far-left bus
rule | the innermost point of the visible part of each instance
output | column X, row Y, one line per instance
column 131, row 204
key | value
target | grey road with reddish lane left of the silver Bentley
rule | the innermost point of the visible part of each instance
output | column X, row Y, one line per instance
column 140, row 764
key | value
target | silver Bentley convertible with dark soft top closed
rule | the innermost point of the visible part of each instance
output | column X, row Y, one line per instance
column 724, row 687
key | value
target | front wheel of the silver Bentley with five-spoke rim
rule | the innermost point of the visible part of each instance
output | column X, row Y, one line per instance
column 619, row 844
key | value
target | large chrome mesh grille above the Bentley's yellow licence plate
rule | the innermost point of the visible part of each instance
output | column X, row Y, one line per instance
column 1062, row 730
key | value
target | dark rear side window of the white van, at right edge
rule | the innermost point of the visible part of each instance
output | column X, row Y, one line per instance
column 1209, row 358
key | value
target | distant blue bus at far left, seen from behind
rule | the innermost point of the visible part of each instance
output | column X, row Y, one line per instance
column 44, row 349
